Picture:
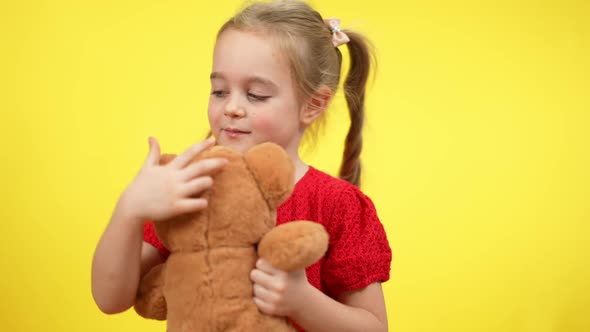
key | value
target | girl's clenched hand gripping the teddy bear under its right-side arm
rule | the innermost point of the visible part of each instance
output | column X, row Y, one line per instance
column 278, row 292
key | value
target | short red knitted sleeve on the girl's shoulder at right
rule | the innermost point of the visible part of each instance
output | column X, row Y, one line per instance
column 359, row 253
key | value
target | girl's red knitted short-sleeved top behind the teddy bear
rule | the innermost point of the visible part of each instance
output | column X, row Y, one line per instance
column 358, row 253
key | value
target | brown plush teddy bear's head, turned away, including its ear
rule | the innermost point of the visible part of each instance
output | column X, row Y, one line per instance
column 241, row 203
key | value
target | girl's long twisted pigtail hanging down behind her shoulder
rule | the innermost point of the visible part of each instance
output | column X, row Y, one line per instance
column 354, row 93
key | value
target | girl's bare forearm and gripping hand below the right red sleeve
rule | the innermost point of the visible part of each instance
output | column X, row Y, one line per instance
column 289, row 294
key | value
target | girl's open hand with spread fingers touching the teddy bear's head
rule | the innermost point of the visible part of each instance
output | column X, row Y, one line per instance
column 159, row 192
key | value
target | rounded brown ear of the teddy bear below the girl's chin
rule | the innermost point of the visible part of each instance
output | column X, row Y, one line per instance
column 273, row 170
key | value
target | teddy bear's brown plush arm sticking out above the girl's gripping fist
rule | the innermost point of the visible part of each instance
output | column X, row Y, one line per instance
column 294, row 245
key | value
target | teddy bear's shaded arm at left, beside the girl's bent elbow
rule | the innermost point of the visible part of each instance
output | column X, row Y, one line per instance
column 150, row 301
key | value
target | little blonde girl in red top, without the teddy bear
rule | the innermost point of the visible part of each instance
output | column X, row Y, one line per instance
column 276, row 67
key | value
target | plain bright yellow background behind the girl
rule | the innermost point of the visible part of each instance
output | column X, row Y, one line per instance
column 476, row 151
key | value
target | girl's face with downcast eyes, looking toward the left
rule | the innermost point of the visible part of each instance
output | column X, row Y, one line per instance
column 253, row 98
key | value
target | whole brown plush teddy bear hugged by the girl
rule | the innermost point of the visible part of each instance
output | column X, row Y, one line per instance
column 204, row 285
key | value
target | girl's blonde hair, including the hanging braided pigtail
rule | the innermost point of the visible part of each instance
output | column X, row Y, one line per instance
column 301, row 34
